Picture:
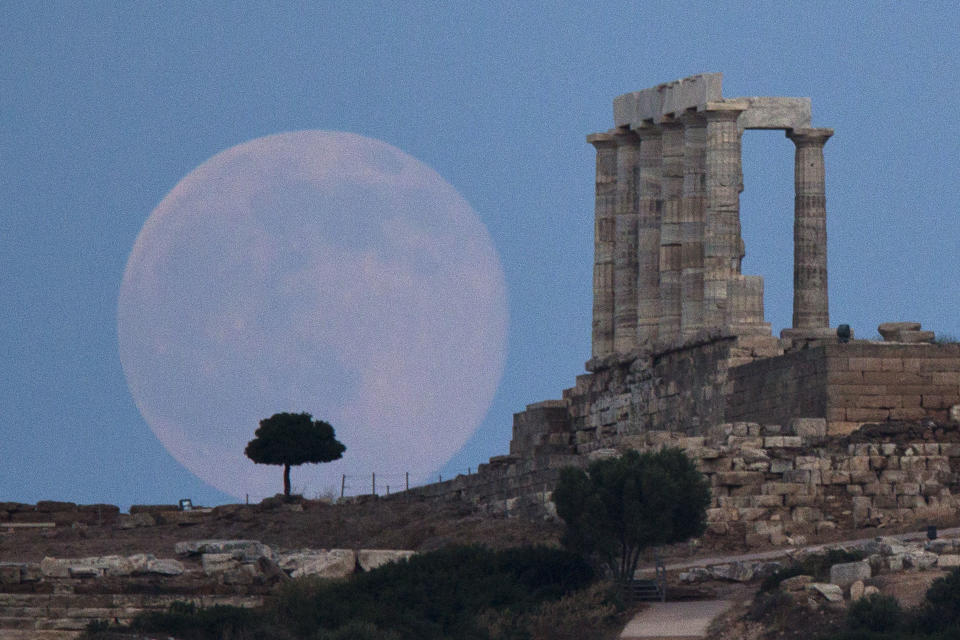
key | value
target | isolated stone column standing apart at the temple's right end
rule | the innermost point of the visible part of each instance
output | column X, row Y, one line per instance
column 810, row 305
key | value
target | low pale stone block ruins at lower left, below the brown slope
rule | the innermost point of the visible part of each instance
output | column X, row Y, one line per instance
column 65, row 594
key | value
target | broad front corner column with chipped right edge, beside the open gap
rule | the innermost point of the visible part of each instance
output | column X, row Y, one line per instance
column 722, row 240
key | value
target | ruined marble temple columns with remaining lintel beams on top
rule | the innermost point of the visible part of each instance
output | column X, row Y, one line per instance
column 667, row 243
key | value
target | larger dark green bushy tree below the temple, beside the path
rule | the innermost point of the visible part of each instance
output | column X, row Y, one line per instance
column 620, row 506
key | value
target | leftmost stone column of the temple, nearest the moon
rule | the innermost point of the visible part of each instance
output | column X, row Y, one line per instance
column 603, row 241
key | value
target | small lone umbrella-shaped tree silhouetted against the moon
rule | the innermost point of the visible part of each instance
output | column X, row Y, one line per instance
column 292, row 439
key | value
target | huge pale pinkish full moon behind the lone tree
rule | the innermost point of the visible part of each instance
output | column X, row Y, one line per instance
column 320, row 272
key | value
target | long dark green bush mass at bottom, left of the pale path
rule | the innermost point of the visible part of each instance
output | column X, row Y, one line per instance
column 435, row 595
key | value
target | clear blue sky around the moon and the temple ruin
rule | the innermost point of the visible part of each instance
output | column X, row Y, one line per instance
column 104, row 107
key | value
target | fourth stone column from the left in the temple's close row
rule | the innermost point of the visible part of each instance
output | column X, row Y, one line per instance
column 671, row 194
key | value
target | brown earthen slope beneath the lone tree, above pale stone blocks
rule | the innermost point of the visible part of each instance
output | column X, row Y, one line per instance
column 414, row 524
